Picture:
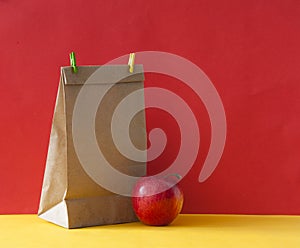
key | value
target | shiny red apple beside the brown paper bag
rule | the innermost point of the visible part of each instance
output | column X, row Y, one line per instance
column 156, row 202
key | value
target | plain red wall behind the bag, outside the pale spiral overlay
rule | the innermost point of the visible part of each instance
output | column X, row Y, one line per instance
column 249, row 49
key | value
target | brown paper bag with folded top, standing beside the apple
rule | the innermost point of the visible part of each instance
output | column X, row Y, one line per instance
column 70, row 197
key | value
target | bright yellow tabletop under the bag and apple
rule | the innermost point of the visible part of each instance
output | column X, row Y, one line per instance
column 186, row 231
